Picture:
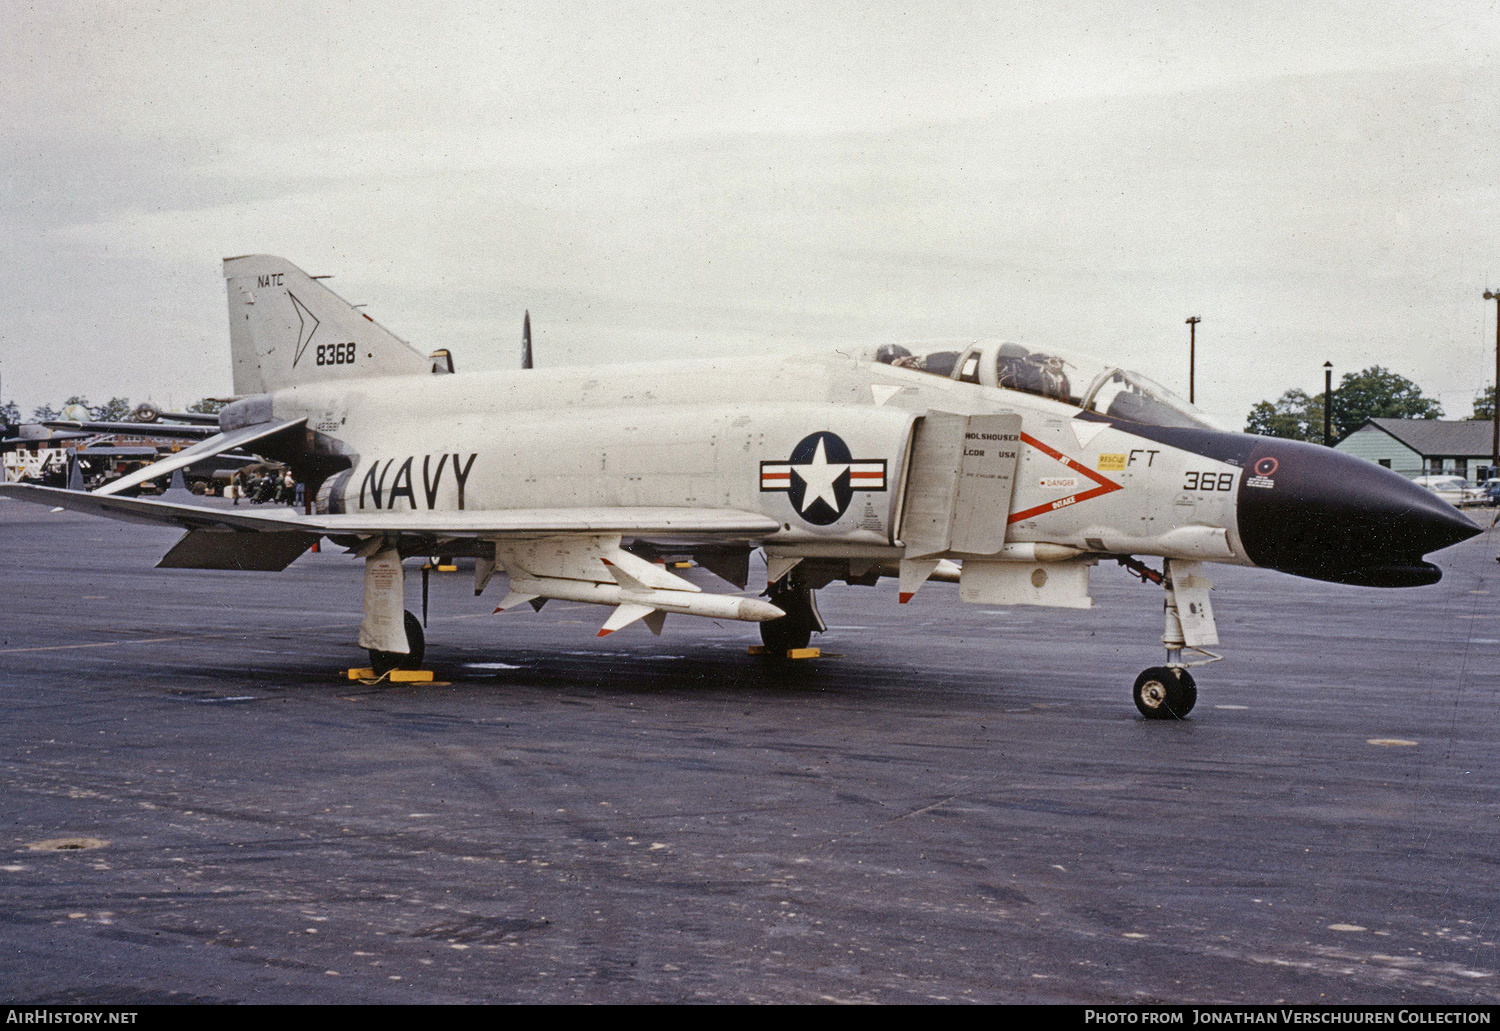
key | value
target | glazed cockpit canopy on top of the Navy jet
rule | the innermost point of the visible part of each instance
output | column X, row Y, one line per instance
column 1078, row 380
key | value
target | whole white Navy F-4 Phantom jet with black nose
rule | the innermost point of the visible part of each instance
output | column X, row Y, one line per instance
column 1007, row 469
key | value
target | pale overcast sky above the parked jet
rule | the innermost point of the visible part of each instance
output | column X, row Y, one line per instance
column 656, row 181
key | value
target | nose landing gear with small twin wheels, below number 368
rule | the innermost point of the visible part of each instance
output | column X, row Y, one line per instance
column 1169, row 693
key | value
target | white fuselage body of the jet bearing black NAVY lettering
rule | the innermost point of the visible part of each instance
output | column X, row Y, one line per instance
column 709, row 433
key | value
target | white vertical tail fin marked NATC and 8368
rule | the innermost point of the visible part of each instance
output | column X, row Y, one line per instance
column 287, row 329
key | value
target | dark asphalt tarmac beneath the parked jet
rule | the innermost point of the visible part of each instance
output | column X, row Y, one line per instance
column 955, row 804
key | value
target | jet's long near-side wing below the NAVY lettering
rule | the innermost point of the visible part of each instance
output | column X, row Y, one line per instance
column 505, row 523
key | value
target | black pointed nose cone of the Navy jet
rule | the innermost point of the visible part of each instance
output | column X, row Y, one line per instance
column 1318, row 512
